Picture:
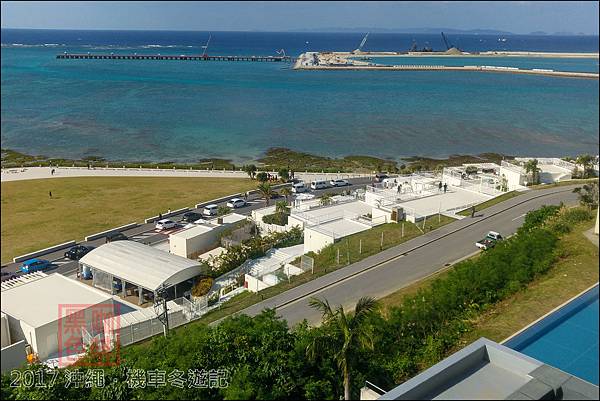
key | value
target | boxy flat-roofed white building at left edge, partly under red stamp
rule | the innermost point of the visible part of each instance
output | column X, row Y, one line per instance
column 49, row 313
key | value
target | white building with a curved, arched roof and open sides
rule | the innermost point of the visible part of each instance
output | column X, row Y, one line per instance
column 130, row 267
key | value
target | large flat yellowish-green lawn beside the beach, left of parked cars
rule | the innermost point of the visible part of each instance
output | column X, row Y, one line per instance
column 86, row 205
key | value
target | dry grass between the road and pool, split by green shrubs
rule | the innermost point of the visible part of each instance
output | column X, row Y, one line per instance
column 576, row 270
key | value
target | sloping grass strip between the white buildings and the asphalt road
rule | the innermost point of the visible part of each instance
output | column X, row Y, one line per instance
column 326, row 262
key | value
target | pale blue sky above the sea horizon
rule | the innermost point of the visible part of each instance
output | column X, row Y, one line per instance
column 516, row 16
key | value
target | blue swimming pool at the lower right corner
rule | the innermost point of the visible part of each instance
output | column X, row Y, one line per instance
column 566, row 339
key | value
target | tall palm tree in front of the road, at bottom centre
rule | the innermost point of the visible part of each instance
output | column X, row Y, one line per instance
column 351, row 333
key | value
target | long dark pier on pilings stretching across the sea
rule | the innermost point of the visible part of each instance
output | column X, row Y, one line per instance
column 173, row 57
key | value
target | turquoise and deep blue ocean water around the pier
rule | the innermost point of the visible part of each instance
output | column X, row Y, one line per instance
column 184, row 111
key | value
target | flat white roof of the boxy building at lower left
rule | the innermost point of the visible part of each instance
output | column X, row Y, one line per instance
column 36, row 302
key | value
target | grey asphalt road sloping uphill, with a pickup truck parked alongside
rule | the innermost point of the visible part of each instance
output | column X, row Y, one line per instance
column 397, row 267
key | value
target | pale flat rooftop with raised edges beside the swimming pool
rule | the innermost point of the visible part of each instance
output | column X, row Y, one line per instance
column 486, row 370
